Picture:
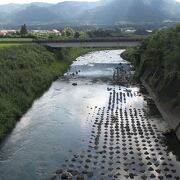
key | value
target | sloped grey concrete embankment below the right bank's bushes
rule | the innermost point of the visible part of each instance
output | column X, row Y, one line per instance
column 173, row 119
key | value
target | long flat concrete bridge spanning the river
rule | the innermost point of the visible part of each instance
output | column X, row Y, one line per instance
column 106, row 42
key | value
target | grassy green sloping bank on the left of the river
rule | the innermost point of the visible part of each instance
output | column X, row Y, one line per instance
column 25, row 72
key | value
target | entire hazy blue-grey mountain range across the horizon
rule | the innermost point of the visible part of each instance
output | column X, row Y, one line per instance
column 107, row 12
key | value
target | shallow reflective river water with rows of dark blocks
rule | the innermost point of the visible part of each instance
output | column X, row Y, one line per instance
column 86, row 123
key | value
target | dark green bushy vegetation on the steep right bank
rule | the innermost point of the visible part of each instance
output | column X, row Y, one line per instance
column 158, row 60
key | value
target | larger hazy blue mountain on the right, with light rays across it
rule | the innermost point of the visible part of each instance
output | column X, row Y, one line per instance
column 120, row 11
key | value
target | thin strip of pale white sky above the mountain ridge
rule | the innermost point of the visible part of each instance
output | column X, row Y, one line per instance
column 49, row 1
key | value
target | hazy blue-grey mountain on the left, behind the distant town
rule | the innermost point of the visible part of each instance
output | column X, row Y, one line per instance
column 44, row 13
